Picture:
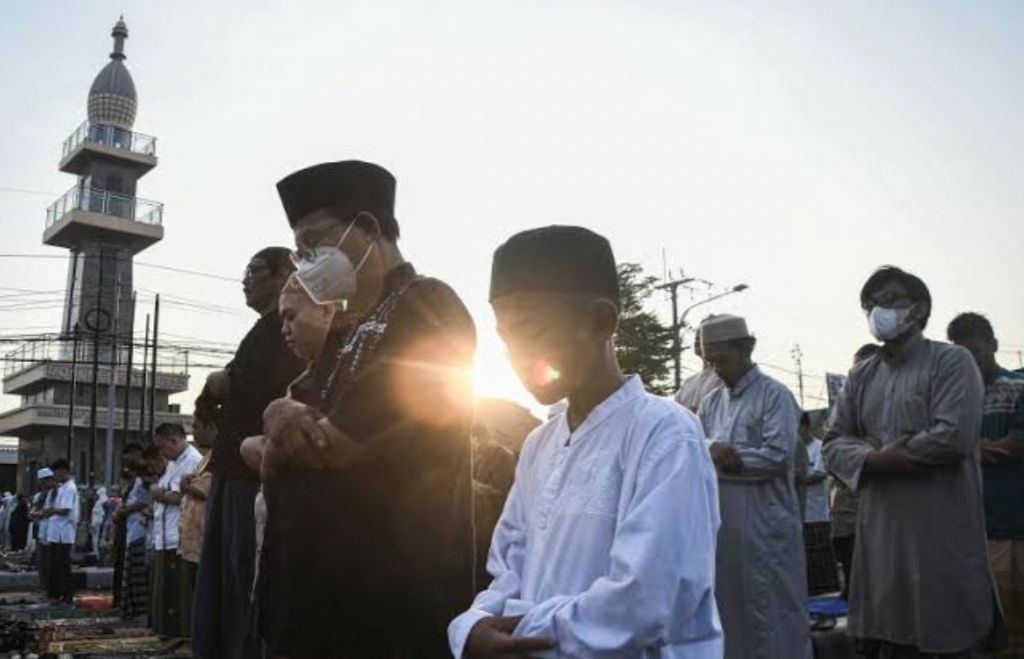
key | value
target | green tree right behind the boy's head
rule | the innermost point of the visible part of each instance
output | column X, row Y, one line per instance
column 644, row 343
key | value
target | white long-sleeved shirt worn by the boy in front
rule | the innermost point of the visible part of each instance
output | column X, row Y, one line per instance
column 607, row 544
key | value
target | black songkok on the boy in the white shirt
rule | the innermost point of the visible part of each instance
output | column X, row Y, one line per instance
column 556, row 259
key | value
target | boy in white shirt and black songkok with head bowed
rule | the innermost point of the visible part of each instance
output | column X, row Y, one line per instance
column 607, row 544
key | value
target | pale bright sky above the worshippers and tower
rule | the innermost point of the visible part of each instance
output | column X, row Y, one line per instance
column 792, row 147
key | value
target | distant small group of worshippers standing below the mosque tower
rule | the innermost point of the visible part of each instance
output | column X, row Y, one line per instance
column 151, row 537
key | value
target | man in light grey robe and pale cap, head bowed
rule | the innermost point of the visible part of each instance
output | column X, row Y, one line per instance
column 761, row 583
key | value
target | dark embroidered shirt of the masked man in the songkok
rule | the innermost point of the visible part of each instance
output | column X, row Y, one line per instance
column 376, row 558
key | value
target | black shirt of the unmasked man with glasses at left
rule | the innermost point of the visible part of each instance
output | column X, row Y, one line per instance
column 261, row 372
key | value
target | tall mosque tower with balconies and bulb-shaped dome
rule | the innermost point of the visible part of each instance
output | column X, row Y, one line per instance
column 104, row 224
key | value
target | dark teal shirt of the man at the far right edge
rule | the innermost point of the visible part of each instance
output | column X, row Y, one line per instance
column 1004, row 482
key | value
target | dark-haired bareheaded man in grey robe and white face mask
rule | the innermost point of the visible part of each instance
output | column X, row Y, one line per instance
column 905, row 435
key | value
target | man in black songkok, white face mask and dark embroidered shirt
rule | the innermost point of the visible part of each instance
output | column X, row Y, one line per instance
column 369, row 546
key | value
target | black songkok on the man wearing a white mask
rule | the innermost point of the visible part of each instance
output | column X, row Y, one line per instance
column 351, row 183
